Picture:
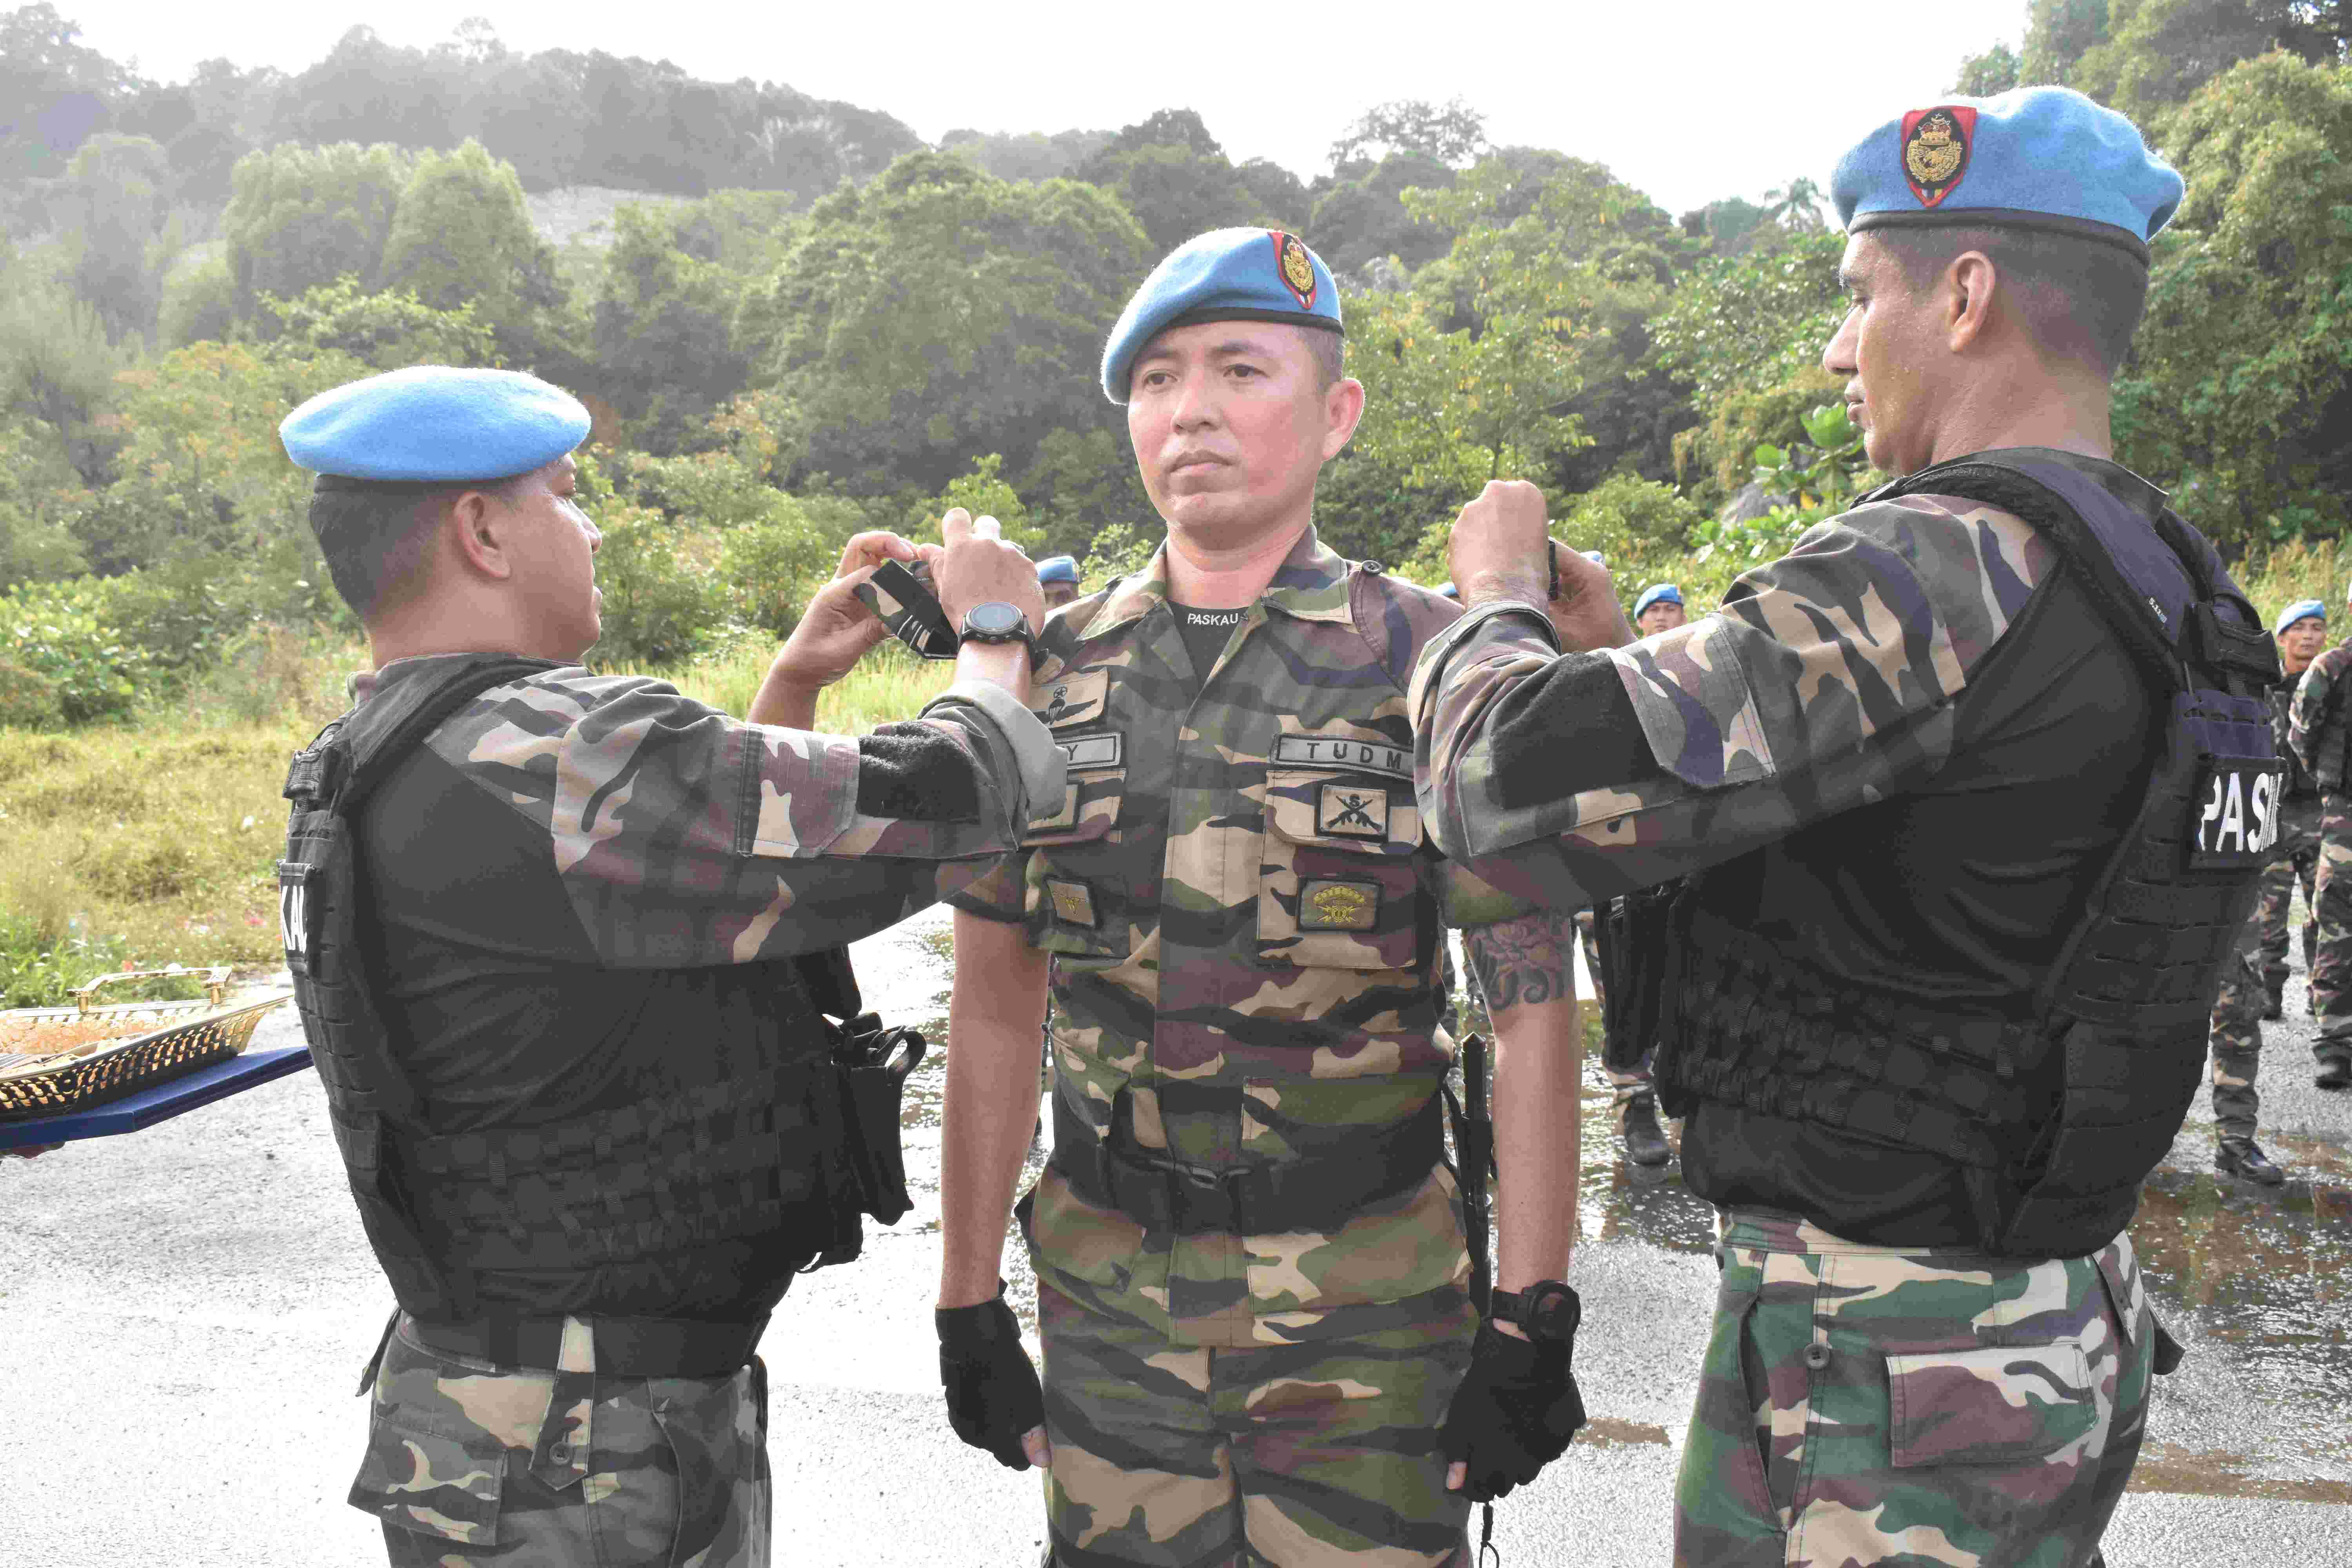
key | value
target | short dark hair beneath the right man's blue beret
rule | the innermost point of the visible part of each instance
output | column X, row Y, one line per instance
column 2083, row 300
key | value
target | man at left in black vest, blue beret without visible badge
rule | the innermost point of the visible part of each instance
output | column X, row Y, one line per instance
column 552, row 939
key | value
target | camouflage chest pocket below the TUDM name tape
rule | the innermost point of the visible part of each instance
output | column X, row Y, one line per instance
column 1337, row 878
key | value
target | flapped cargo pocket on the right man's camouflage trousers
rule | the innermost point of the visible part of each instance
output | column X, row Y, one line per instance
column 1989, row 1407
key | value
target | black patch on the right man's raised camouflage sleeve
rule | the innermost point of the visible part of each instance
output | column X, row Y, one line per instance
column 1568, row 730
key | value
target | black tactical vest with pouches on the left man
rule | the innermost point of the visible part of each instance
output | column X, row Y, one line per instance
column 700, row 1162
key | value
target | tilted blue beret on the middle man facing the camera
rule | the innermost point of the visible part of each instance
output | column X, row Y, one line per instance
column 1224, row 276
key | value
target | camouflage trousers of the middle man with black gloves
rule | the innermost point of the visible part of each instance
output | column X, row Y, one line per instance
column 1307, row 1456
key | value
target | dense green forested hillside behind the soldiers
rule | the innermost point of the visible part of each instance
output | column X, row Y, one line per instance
column 815, row 323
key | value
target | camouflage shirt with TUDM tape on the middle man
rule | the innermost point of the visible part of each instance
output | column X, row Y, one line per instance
column 1245, row 927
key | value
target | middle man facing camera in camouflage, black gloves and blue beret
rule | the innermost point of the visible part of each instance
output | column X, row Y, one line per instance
column 1255, row 1285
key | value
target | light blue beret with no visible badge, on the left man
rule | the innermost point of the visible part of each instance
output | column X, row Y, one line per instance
column 436, row 424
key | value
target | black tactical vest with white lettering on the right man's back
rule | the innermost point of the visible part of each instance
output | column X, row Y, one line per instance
column 2118, row 1026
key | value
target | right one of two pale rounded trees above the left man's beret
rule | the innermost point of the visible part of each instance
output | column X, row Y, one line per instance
column 462, row 236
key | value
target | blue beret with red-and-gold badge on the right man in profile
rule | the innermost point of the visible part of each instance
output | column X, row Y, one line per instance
column 2031, row 159
